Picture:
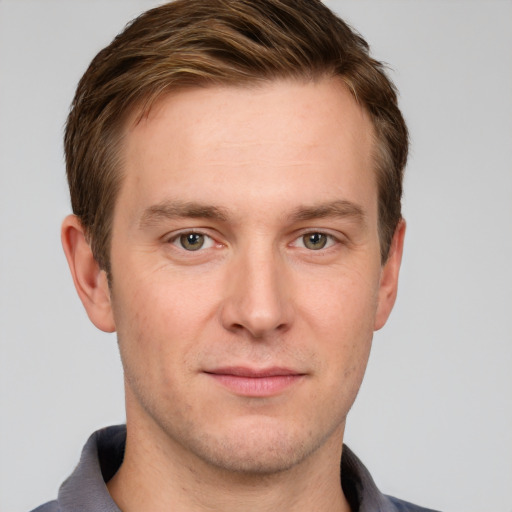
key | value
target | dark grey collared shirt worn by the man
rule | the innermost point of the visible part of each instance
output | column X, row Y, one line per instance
column 85, row 489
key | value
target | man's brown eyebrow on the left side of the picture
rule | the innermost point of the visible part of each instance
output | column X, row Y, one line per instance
column 178, row 209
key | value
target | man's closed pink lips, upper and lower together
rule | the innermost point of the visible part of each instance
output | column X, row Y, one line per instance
column 255, row 382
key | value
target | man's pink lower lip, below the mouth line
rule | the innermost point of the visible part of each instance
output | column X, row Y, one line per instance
column 256, row 386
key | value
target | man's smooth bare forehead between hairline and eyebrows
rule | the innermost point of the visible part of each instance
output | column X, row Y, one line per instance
column 269, row 138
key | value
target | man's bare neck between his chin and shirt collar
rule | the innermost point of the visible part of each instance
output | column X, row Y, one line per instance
column 157, row 474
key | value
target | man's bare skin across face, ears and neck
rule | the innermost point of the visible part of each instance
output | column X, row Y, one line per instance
column 263, row 177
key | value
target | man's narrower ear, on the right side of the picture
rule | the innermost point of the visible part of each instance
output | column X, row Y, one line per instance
column 389, row 277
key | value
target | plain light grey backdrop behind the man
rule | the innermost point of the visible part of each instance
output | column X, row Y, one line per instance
column 433, row 420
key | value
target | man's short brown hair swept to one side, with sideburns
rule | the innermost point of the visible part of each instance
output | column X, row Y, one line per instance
column 202, row 42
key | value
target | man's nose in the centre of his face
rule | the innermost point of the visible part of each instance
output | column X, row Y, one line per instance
column 257, row 299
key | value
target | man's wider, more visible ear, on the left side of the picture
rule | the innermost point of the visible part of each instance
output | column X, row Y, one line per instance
column 90, row 281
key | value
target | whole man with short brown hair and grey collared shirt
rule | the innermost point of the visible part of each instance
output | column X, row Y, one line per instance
column 235, row 170
